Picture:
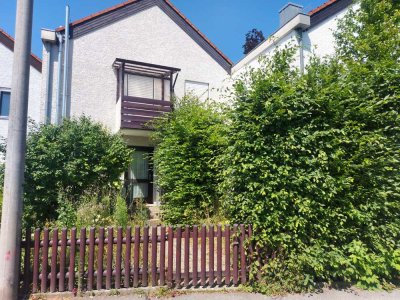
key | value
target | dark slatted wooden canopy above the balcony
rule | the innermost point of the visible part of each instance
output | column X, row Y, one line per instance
column 145, row 69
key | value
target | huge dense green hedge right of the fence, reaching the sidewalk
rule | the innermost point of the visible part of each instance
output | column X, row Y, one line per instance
column 313, row 159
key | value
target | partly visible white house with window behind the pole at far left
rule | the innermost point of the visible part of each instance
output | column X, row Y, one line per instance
column 35, row 81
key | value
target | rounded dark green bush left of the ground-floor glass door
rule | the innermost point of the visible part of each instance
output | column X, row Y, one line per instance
column 71, row 159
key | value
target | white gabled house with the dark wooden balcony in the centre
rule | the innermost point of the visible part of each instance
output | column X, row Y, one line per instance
column 121, row 68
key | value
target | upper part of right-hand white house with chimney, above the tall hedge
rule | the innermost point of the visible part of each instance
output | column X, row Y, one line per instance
column 312, row 32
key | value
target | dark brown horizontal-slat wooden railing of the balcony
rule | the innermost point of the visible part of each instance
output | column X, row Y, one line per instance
column 137, row 112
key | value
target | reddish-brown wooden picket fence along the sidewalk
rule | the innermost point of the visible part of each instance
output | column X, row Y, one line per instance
column 60, row 260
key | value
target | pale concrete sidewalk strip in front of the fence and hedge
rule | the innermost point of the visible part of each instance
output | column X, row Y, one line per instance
column 326, row 294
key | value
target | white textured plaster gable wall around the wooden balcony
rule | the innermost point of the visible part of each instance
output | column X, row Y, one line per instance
column 148, row 36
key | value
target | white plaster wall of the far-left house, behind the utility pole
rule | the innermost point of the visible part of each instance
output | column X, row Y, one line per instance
column 6, row 63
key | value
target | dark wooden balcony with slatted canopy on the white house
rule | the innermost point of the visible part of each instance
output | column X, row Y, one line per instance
column 144, row 92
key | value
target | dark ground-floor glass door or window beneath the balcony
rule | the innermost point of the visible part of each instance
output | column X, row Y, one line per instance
column 139, row 177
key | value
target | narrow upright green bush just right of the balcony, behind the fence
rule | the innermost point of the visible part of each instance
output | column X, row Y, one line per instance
column 188, row 144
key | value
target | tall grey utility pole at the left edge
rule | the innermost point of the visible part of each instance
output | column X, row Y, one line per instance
column 10, row 234
